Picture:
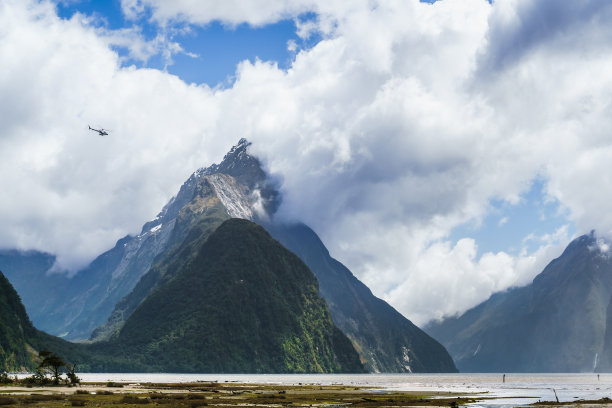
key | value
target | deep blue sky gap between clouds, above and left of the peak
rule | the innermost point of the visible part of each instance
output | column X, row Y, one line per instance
column 212, row 52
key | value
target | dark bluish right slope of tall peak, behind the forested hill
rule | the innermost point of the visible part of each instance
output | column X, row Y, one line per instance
column 386, row 340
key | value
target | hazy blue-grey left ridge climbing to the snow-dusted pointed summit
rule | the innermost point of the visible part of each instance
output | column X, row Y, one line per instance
column 74, row 307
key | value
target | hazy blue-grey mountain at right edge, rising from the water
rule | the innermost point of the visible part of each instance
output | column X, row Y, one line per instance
column 555, row 324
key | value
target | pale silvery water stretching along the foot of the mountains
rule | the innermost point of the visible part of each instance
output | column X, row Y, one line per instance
column 519, row 389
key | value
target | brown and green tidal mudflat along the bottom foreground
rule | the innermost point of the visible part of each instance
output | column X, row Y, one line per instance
column 213, row 394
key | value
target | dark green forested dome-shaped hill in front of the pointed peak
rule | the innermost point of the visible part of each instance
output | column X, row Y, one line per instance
column 241, row 303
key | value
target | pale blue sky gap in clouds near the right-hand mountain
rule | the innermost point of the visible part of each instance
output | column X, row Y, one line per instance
column 513, row 227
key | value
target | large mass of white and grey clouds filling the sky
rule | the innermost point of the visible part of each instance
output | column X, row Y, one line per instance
column 402, row 123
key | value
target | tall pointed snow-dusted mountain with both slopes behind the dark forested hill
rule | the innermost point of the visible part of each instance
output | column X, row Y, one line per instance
column 107, row 292
